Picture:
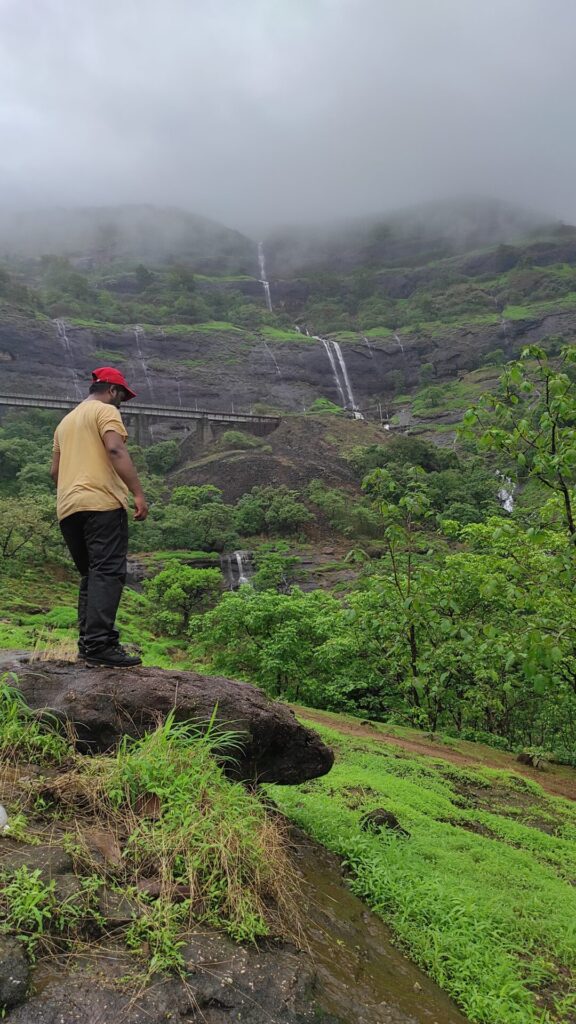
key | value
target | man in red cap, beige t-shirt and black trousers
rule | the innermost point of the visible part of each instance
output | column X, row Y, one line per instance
column 94, row 474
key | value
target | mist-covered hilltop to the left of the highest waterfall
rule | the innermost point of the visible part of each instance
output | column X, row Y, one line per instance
column 147, row 234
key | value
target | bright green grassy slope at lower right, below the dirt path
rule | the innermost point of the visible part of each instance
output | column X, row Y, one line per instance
column 491, row 914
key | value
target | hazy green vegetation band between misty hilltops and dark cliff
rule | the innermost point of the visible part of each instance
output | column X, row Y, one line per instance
column 371, row 301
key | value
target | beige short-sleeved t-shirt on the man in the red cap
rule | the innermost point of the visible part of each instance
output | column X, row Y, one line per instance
column 88, row 481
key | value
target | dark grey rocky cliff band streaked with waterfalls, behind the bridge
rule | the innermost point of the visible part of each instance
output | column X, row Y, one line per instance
column 232, row 369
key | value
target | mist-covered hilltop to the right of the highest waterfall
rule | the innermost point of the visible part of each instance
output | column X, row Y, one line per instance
column 409, row 238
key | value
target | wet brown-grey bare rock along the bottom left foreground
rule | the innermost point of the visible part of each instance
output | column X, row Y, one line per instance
column 348, row 971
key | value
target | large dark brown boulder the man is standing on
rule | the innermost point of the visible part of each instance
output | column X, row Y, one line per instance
column 106, row 704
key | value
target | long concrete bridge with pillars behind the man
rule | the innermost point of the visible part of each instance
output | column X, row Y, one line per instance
column 144, row 414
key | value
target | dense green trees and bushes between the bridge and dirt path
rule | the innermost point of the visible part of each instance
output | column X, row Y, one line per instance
column 443, row 626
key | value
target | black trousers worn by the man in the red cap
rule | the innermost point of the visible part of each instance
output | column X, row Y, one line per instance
column 99, row 545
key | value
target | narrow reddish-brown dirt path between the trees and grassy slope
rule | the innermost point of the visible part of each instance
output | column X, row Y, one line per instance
column 556, row 780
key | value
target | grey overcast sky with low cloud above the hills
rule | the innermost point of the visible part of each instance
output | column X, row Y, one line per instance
column 267, row 112
